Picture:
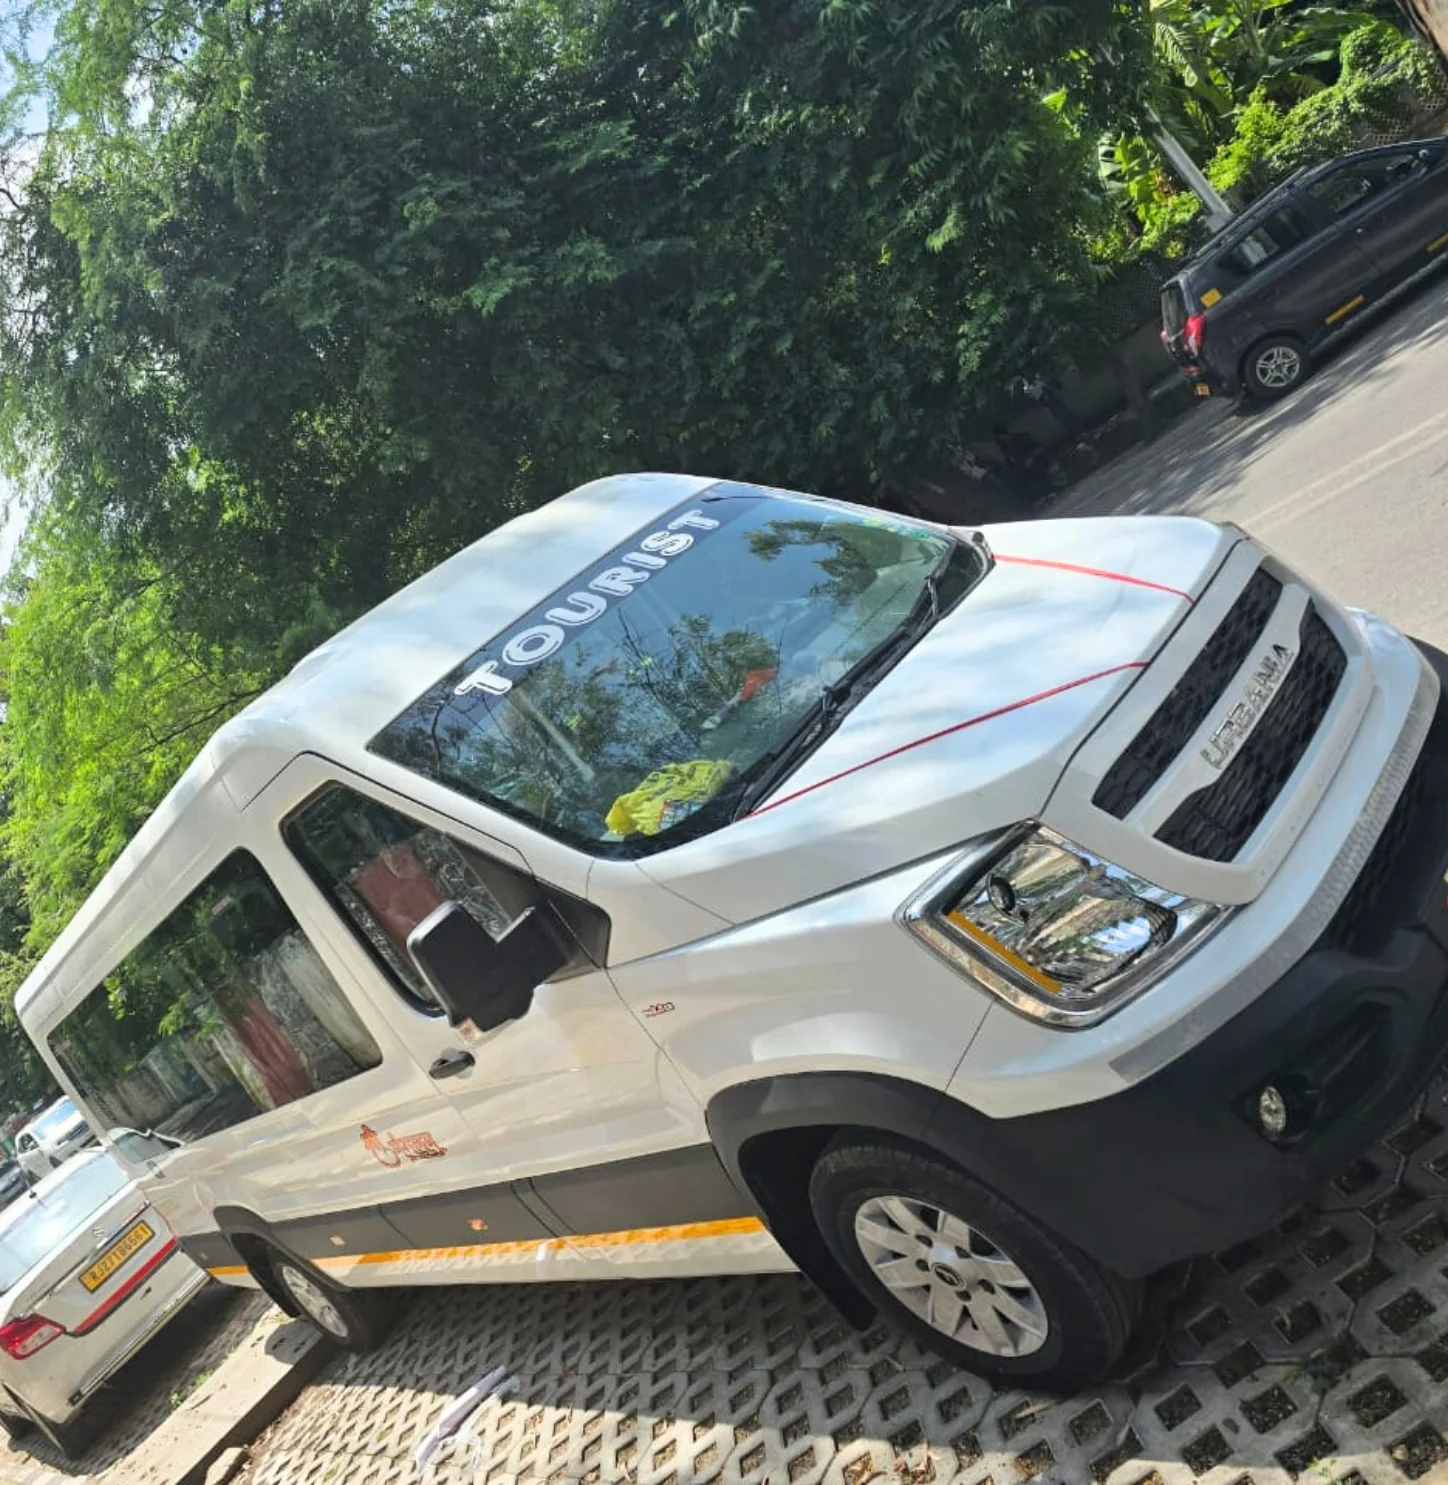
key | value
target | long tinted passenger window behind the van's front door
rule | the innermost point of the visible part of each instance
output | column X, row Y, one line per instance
column 222, row 1014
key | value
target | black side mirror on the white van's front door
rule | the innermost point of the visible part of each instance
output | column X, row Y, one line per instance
column 483, row 979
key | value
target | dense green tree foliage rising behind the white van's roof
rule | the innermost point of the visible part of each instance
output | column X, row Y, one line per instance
column 299, row 298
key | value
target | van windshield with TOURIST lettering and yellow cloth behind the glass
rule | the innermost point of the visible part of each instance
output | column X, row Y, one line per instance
column 648, row 688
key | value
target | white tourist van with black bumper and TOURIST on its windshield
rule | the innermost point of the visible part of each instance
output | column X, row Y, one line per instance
column 696, row 878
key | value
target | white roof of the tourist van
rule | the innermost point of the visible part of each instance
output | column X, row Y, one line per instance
column 341, row 696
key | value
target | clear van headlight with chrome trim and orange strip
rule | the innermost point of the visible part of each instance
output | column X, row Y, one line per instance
column 1057, row 932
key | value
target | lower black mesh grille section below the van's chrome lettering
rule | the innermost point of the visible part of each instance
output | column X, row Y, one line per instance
column 1217, row 822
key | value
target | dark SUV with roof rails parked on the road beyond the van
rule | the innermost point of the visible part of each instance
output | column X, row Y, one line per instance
column 1251, row 308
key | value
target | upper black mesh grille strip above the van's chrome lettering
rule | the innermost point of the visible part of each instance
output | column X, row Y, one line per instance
column 1190, row 700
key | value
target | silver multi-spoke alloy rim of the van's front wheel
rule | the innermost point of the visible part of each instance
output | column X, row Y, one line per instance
column 953, row 1276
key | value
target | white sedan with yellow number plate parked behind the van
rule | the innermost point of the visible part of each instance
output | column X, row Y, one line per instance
column 88, row 1275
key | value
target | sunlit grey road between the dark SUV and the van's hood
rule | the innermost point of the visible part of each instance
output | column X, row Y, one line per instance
column 1348, row 479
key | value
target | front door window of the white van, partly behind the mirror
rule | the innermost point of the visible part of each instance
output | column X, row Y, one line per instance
column 387, row 874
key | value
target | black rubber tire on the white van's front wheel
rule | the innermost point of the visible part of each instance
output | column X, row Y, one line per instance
column 1088, row 1313
